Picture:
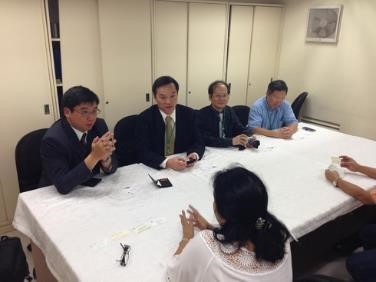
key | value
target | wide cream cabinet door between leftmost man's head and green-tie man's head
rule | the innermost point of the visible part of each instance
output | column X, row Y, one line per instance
column 125, row 34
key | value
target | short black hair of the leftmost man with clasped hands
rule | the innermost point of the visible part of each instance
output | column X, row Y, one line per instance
column 77, row 95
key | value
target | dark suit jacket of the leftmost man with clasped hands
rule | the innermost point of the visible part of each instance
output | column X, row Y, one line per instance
column 63, row 156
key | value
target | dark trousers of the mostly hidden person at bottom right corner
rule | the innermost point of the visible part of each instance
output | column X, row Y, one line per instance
column 362, row 266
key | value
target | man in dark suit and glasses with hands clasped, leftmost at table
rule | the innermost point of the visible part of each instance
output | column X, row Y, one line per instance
column 78, row 145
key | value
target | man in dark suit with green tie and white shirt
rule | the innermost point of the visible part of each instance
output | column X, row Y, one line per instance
column 166, row 129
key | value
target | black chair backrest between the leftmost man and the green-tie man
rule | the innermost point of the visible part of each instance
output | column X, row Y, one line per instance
column 126, row 144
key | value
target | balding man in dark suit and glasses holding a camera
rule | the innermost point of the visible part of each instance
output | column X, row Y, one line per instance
column 218, row 123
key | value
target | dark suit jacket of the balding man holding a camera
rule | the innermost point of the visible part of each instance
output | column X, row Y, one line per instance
column 208, row 121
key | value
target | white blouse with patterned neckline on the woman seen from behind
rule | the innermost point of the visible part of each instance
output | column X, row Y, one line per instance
column 204, row 259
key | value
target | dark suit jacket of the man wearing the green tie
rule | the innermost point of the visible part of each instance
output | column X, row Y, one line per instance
column 151, row 135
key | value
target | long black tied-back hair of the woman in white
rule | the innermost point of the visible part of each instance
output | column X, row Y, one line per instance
column 242, row 201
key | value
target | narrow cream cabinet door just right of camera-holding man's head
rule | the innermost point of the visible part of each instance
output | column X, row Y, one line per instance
column 239, row 53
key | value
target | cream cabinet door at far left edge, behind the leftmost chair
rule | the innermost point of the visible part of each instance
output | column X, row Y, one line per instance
column 25, row 87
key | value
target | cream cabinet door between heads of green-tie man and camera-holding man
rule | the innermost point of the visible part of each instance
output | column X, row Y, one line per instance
column 207, row 40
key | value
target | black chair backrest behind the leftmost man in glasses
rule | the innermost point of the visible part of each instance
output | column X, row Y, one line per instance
column 28, row 161
